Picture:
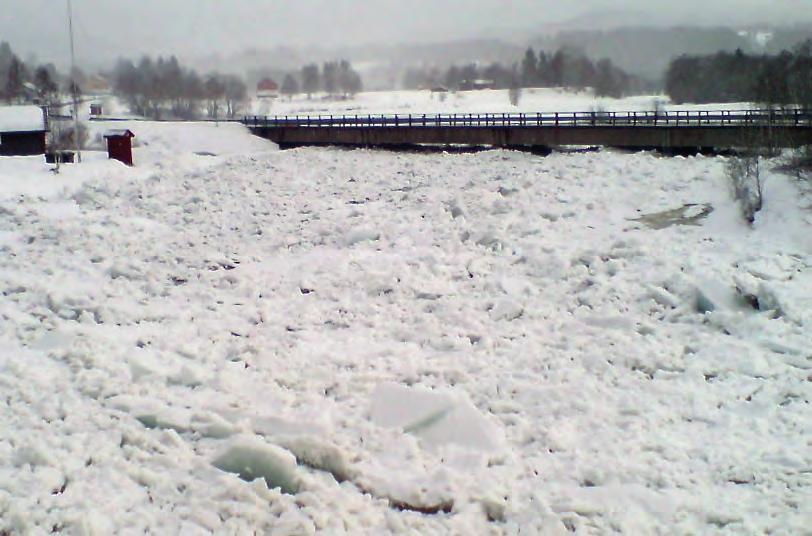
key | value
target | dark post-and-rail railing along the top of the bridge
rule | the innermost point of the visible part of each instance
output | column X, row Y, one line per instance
column 687, row 118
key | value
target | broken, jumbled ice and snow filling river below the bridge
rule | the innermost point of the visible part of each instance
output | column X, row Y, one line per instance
column 490, row 343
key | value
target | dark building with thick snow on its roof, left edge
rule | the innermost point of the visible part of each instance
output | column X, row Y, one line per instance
column 22, row 130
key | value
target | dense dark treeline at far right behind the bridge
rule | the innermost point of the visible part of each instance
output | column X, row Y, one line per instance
column 784, row 79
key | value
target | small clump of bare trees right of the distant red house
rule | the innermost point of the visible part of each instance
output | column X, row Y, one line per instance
column 335, row 78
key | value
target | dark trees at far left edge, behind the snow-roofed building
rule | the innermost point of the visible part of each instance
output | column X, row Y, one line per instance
column 21, row 83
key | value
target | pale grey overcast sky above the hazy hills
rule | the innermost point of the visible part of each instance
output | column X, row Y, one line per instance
column 108, row 28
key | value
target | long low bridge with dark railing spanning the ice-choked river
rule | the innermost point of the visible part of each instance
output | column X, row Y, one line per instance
column 677, row 131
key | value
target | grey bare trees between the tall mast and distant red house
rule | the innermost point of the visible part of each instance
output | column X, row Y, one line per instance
column 164, row 88
